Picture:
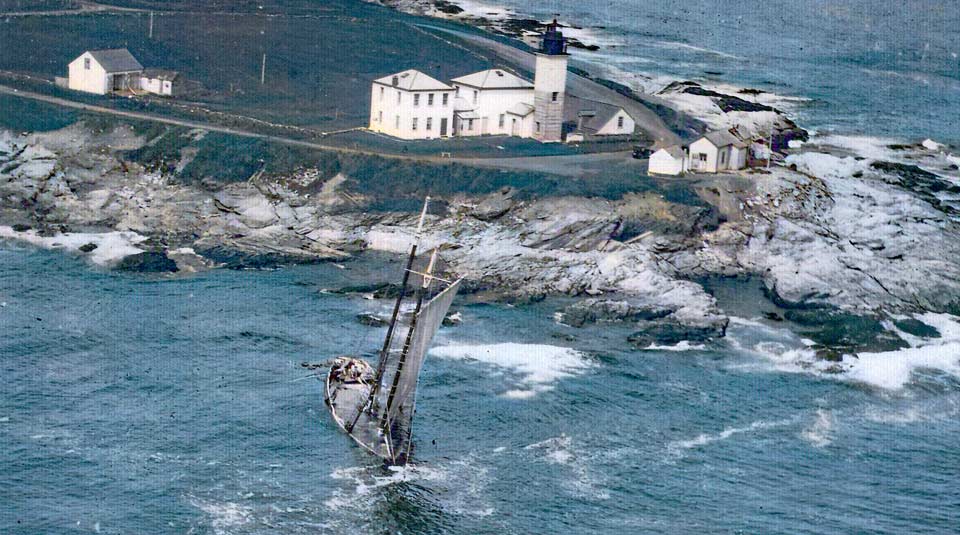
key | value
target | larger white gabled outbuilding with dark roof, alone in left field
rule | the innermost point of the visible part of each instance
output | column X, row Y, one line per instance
column 104, row 71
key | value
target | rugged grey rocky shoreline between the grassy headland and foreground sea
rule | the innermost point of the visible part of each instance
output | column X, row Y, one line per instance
column 863, row 236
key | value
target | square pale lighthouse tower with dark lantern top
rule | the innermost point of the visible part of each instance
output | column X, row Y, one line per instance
column 549, row 85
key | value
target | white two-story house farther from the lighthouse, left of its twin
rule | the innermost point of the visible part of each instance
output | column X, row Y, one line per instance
column 411, row 105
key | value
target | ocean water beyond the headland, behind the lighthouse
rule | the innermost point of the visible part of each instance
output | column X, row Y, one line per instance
column 868, row 67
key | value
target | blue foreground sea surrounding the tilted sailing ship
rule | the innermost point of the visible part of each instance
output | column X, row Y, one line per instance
column 134, row 404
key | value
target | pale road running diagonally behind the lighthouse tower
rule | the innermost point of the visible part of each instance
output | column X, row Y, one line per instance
column 647, row 120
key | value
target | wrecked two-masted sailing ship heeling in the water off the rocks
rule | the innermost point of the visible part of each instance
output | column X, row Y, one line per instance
column 375, row 406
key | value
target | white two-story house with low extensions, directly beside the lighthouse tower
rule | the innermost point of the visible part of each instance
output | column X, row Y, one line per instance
column 493, row 102
